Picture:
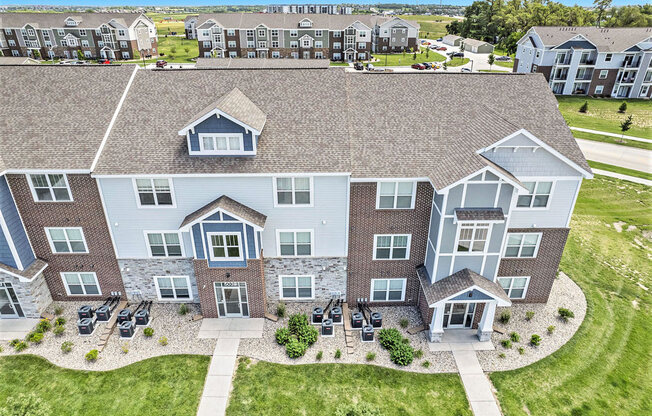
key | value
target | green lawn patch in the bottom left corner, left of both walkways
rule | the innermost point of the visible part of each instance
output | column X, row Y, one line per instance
column 169, row 385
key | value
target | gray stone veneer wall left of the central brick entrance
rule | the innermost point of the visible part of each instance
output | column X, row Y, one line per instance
column 138, row 276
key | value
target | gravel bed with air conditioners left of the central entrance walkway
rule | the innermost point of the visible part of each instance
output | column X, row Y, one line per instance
column 180, row 331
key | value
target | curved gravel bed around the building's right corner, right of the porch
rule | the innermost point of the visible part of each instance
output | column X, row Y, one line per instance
column 565, row 294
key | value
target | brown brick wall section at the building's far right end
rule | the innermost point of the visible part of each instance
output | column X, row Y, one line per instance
column 542, row 269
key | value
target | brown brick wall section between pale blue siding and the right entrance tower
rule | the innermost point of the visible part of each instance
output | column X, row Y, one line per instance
column 365, row 221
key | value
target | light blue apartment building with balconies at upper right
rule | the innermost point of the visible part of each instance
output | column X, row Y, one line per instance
column 606, row 62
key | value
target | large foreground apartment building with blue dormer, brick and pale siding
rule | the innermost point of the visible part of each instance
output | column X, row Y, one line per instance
column 258, row 192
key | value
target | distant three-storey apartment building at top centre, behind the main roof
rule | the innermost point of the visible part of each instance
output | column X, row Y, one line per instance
column 300, row 36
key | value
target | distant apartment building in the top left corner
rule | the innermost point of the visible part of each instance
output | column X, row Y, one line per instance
column 60, row 35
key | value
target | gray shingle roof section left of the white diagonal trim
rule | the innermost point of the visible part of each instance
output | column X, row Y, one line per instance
column 54, row 117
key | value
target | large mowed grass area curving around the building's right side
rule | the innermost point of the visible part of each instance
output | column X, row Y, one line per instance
column 605, row 368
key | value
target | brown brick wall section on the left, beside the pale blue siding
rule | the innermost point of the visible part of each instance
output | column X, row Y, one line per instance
column 84, row 211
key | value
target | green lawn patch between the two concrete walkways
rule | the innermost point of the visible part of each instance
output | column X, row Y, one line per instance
column 319, row 389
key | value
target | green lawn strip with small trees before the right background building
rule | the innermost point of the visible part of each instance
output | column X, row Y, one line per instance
column 603, row 115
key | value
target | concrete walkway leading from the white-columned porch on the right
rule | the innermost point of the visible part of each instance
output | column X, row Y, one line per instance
column 476, row 383
